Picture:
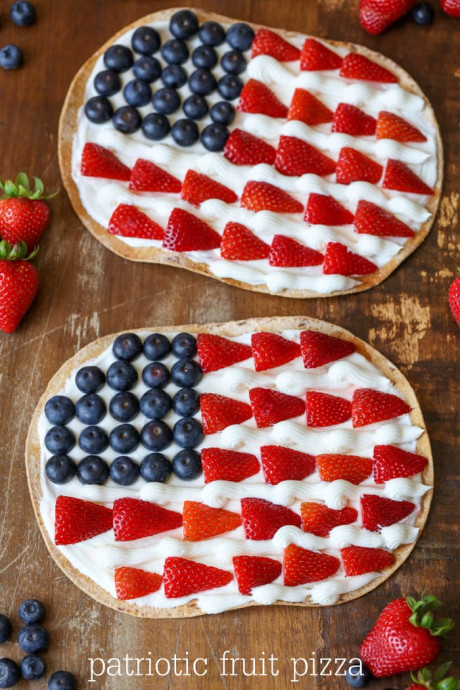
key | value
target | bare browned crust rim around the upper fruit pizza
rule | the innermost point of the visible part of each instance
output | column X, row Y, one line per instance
column 68, row 128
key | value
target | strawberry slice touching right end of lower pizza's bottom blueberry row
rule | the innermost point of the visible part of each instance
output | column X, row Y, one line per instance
column 229, row 465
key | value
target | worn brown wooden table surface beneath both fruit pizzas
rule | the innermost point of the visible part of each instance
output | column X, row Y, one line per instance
column 86, row 292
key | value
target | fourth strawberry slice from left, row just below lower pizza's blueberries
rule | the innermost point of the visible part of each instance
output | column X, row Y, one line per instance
column 262, row 519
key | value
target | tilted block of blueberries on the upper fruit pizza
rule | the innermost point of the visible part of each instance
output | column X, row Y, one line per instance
column 156, row 81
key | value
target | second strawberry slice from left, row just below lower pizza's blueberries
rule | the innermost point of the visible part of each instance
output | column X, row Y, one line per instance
column 134, row 519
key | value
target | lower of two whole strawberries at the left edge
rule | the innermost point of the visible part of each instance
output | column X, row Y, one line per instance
column 18, row 284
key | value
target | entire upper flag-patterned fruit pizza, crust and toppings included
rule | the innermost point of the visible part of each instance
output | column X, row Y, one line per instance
column 271, row 160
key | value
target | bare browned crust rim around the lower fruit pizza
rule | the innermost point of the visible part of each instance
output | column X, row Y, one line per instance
column 229, row 329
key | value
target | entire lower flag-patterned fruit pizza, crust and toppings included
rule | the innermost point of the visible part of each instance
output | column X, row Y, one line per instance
column 206, row 468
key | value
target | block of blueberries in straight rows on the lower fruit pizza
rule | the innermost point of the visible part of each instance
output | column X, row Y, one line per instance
column 156, row 435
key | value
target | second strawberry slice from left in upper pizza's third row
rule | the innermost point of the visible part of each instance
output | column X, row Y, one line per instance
column 295, row 157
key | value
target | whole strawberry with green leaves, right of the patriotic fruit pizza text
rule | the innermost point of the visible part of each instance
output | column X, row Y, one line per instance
column 405, row 637
